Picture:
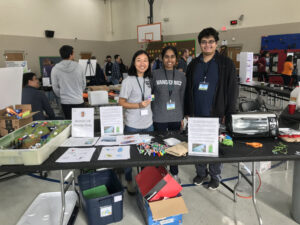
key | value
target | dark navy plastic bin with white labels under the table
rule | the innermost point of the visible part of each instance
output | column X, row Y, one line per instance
column 103, row 210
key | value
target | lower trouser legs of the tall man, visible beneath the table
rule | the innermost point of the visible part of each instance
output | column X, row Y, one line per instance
column 214, row 170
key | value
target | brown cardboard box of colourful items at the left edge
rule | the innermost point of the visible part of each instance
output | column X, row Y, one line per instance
column 10, row 124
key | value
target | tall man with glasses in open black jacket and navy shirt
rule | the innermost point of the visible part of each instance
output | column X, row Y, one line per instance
column 217, row 96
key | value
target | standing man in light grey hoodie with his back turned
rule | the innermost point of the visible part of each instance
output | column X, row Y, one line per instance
column 68, row 81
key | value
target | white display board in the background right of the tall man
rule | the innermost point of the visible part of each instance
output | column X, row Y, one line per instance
column 246, row 67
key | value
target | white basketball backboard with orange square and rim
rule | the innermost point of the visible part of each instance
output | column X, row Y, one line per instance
column 149, row 33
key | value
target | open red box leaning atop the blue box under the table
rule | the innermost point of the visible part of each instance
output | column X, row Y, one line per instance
column 156, row 183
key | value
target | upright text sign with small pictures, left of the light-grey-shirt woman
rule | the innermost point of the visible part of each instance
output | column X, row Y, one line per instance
column 111, row 120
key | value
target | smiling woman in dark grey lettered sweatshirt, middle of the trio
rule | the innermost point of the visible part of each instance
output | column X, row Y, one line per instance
column 168, row 87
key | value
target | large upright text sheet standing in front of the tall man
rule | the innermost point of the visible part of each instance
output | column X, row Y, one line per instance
column 203, row 136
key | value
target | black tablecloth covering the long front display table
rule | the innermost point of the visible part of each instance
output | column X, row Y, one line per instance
column 239, row 153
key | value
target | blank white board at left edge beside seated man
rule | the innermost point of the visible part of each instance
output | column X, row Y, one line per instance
column 10, row 86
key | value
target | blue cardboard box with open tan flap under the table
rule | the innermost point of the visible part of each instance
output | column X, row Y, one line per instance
column 168, row 211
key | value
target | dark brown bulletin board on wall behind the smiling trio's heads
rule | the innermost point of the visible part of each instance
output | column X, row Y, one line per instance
column 155, row 48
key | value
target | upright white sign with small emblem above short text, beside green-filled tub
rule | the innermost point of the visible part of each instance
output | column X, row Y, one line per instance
column 83, row 122
